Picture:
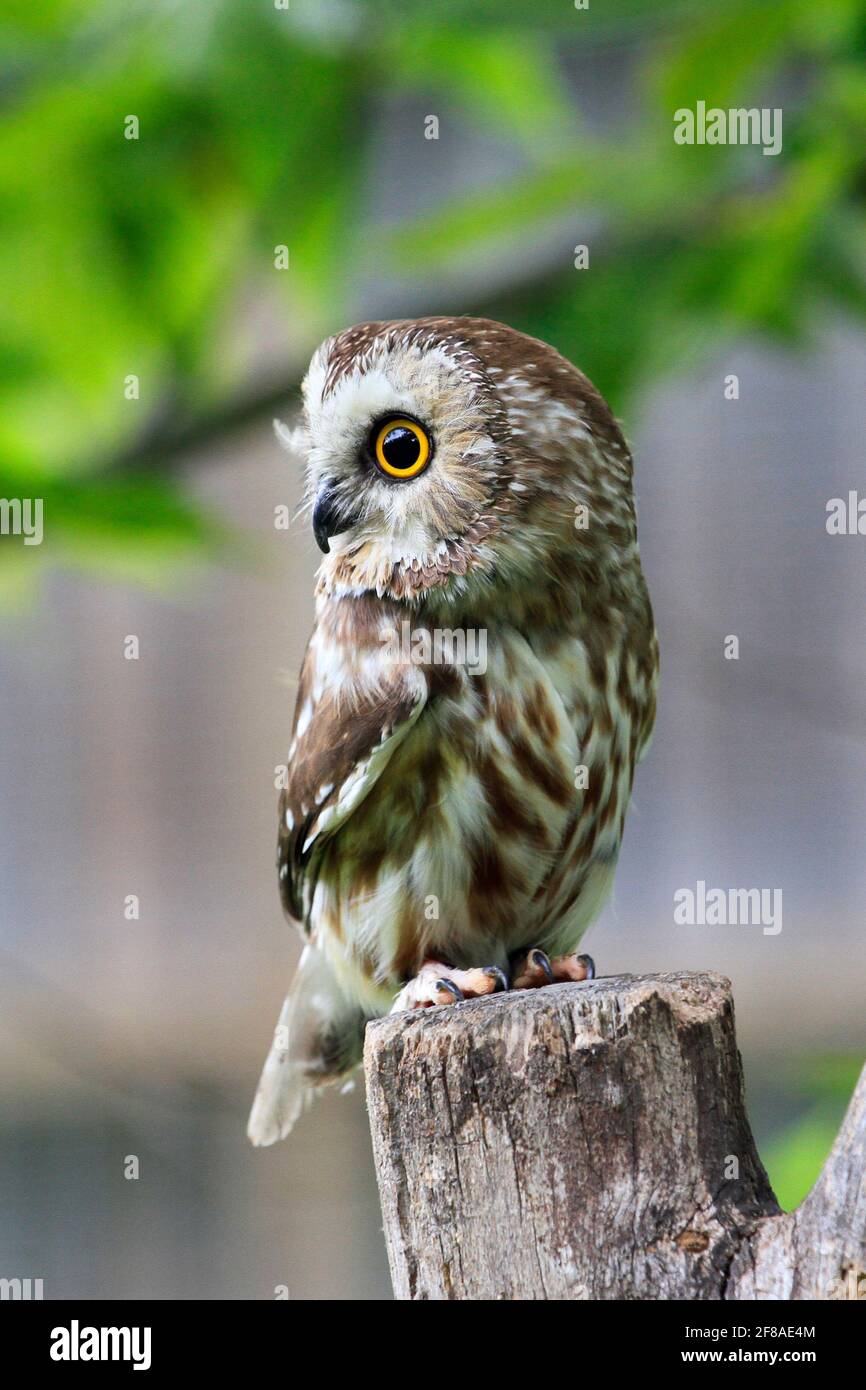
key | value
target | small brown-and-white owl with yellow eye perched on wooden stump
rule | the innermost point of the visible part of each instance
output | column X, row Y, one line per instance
column 477, row 692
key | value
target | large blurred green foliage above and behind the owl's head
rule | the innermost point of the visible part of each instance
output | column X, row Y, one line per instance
column 258, row 129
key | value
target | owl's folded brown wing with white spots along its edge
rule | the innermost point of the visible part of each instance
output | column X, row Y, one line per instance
column 341, row 747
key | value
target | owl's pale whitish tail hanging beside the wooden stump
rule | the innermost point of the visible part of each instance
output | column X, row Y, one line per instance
column 318, row 1040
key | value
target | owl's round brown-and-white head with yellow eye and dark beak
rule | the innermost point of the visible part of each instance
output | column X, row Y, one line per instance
column 452, row 458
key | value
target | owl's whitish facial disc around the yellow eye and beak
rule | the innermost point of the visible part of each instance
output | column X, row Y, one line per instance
column 401, row 465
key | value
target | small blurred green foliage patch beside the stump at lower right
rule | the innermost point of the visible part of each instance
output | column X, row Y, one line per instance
column 796, row 1157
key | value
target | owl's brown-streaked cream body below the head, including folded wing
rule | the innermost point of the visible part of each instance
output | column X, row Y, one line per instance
column 436, row 810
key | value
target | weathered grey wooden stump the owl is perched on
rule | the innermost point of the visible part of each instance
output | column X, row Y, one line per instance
column 591, row 1142
